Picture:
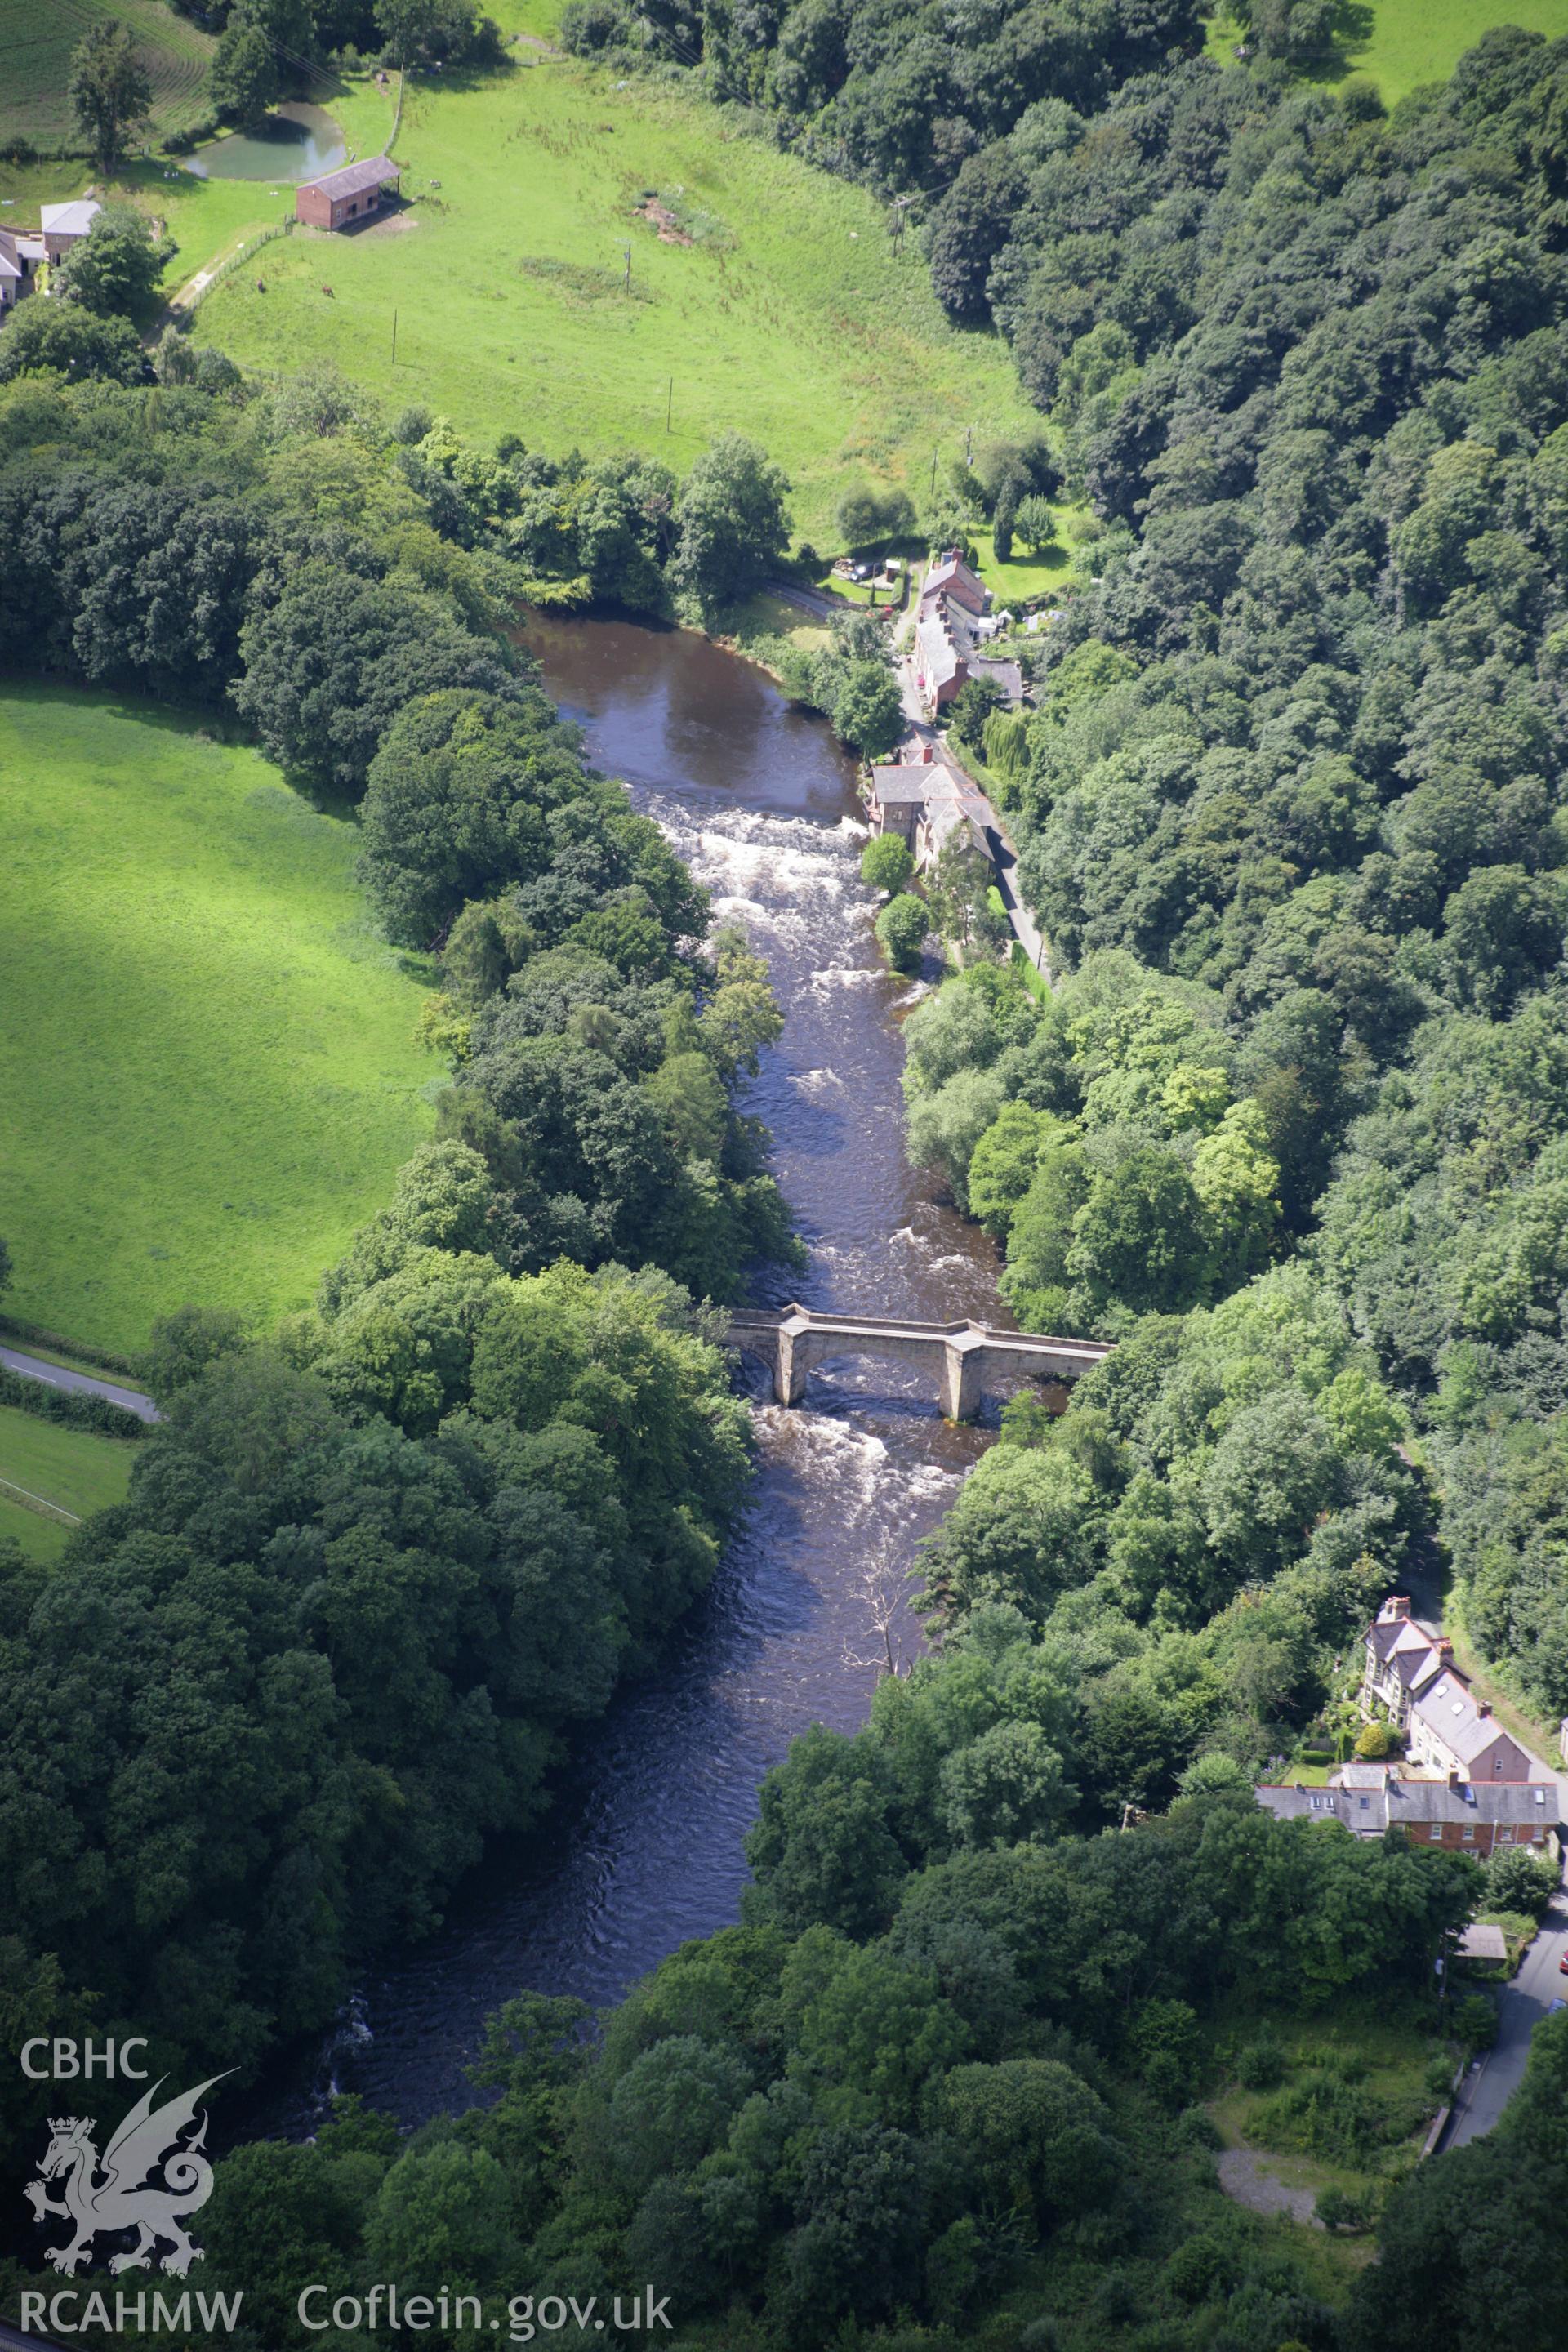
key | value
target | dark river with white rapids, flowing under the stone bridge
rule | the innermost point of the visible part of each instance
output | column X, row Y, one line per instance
column 643, row 1847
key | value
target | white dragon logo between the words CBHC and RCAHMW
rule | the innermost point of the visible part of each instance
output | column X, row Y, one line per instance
column 123, row 2200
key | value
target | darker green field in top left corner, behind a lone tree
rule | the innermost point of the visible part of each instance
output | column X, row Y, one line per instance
column 36, row 44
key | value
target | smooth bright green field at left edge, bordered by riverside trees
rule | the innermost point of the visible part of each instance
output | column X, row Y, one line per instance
column 208, row 1055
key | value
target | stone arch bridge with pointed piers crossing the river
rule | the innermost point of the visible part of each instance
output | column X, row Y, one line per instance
column 965, row 1361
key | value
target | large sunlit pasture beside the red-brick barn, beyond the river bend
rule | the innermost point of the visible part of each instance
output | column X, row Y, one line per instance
column 786, row 316
